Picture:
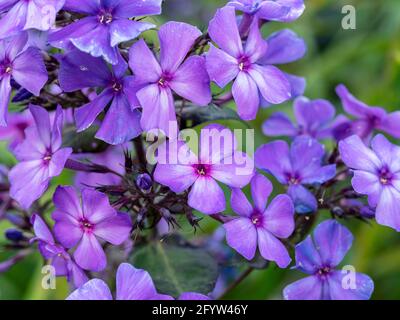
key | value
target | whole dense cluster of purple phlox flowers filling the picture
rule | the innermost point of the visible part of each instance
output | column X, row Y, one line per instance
column 109, row 91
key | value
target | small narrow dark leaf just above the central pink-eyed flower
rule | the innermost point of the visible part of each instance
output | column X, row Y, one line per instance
column 198, row 115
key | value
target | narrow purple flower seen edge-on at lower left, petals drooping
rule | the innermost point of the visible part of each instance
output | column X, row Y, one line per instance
column 60, row 259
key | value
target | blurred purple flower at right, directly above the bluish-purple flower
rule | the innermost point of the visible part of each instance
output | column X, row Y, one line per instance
column 315, row 118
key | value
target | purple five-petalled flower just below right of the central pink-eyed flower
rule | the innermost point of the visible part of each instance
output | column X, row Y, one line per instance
column 260, row 224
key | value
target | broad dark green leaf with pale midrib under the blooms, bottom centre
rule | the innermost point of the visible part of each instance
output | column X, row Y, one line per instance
column 175, row 268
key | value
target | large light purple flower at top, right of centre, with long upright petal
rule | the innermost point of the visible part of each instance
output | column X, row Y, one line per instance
column 235, row 62
